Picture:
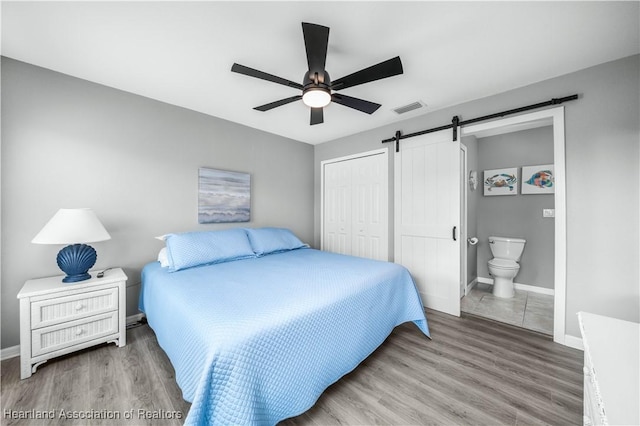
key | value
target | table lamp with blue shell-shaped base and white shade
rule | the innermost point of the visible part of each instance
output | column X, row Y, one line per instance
column 75, row 227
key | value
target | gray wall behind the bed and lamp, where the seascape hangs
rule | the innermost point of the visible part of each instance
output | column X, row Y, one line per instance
column 70, row 143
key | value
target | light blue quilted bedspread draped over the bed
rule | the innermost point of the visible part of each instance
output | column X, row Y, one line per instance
column 258, row 340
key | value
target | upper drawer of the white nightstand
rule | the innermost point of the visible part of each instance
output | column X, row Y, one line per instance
column 61, row 309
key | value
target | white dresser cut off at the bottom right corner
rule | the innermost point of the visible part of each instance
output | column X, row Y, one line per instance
column 611, row 370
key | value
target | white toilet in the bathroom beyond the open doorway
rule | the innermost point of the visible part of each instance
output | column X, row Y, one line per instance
column 504, row 265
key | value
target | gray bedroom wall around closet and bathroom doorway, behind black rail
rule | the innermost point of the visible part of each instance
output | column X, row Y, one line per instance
column 602, row 130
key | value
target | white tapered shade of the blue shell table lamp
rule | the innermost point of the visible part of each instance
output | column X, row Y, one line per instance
column 71, row 226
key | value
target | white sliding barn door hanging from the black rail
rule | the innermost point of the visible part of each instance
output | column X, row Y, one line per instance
column 427, row 217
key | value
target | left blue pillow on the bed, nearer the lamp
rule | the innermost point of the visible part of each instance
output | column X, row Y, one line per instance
column 201, row 248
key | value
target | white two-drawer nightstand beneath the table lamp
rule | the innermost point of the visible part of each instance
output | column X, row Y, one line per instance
column 58, row 318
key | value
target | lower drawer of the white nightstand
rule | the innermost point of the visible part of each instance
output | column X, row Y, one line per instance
column 71, row 333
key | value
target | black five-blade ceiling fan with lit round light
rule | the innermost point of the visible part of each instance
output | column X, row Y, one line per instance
column 317, row 87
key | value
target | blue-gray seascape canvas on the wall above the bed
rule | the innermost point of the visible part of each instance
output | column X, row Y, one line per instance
column 223, row 196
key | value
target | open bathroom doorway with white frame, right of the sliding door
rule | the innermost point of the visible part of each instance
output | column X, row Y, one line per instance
column 517, row 144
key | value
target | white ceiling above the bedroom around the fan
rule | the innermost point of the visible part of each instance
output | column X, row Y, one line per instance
column 181, row 53
